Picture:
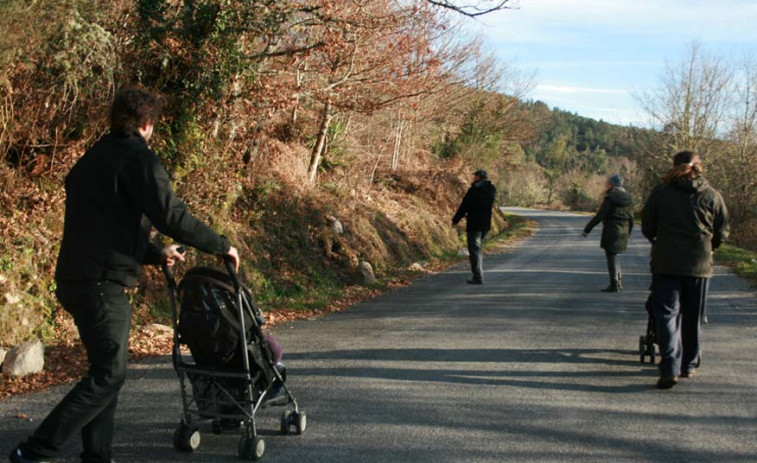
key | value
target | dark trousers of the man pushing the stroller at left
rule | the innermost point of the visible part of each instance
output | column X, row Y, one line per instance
column 102, row 314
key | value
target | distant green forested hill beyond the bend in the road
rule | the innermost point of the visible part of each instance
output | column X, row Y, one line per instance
column 567, row 159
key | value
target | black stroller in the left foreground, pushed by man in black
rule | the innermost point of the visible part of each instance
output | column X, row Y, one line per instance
column 232, row 374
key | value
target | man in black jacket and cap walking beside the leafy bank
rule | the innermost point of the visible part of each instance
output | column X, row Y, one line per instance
column 476, row 207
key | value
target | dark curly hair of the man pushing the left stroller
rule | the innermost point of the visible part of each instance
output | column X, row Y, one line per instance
column 133, row 108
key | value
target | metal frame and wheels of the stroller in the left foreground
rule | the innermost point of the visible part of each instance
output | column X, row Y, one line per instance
column 228, row 397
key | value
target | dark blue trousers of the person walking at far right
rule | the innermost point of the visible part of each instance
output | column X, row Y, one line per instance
column 677, row 303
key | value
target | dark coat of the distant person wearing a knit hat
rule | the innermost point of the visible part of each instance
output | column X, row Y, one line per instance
column 616, row 215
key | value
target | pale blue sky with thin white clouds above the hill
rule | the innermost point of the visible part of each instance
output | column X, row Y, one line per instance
column 591, row 56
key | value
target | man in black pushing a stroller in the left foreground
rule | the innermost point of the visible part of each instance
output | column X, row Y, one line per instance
column 114, row 195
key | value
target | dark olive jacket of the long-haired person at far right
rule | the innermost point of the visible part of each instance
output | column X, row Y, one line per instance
column 685, row 222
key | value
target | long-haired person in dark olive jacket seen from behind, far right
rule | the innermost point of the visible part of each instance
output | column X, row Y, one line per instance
column 685, row 219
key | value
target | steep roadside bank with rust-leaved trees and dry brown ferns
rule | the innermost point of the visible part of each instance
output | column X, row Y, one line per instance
column 273, row 128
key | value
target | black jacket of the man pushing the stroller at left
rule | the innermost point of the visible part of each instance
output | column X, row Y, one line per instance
column 114, row 195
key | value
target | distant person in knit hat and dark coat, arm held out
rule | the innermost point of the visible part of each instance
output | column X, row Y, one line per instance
column 616, row 215
